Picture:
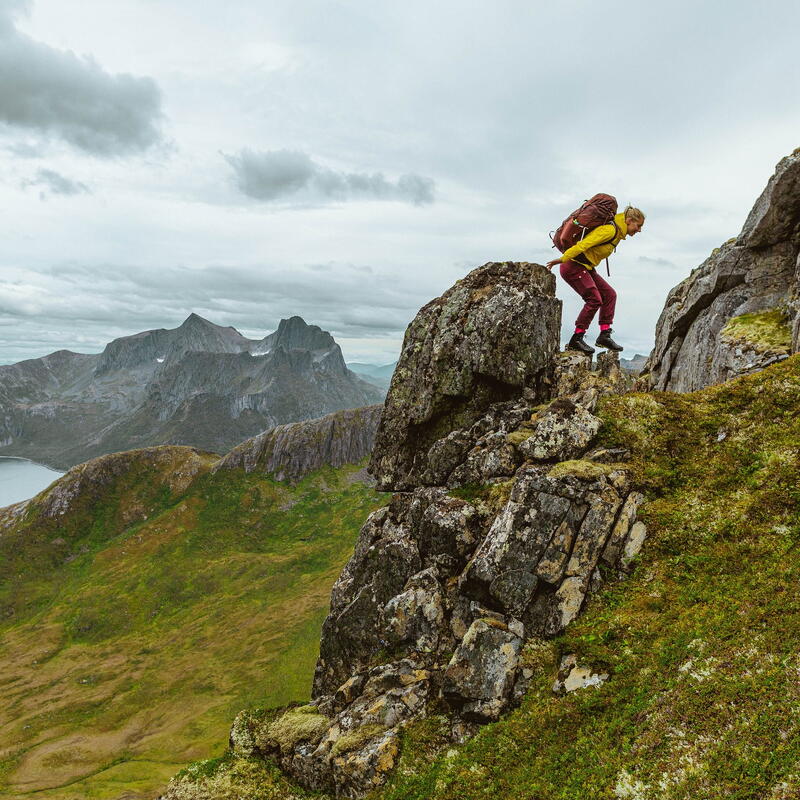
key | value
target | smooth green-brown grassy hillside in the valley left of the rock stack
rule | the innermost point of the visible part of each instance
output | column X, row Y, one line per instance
column 135, row 626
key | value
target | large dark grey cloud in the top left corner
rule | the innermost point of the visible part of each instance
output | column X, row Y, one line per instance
column 57, row 93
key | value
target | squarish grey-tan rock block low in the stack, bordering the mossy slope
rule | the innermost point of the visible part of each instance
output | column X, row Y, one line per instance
column 480, row 675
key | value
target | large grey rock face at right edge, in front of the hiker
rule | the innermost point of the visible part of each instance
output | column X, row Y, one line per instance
column 758, row 271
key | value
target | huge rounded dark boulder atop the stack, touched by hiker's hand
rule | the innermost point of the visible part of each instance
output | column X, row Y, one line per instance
column 486, row 339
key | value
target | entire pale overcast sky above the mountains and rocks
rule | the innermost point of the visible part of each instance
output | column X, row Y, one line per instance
column 348, row 161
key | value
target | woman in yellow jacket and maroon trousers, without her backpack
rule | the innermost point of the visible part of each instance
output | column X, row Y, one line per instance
column 578, row 269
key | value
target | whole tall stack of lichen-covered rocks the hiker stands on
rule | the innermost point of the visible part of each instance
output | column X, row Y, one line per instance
column 503, row 520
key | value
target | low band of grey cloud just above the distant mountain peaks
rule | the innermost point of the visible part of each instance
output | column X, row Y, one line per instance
column 88, row 305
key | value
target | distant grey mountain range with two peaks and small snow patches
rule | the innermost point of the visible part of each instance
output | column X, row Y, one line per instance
column 199, row 384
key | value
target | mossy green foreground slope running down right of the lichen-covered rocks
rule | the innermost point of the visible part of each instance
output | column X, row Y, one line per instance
column 702, row 642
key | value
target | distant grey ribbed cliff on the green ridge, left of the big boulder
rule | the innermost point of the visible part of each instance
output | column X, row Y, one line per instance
column 291, row 451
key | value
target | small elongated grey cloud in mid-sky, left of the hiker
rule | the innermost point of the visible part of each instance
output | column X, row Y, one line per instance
column 276, row 175
